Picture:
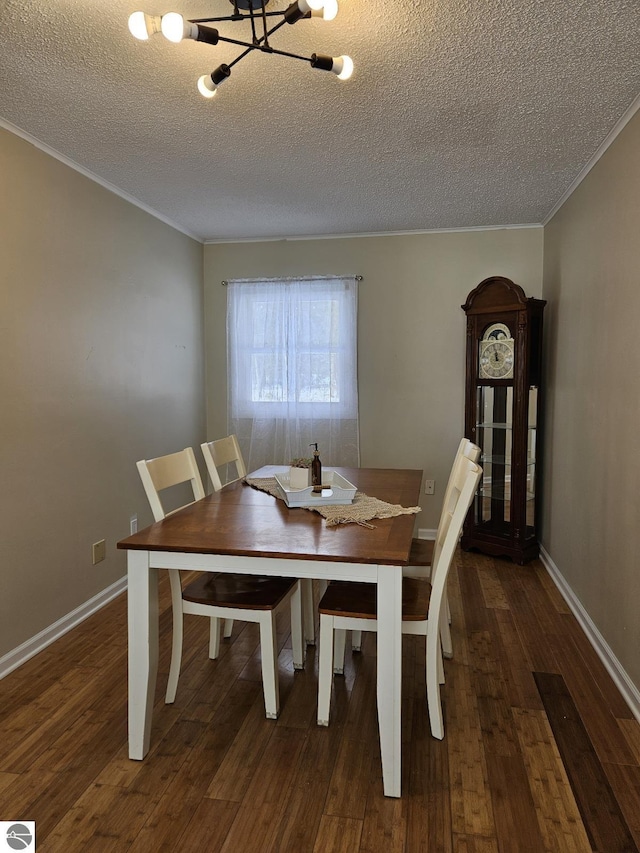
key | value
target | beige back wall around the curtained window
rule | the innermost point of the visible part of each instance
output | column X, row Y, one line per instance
column 411, row 331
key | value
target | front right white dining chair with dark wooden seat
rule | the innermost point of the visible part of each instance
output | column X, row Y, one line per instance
column 352, row 606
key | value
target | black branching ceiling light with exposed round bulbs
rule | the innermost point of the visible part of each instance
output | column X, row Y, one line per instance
column 175, row 28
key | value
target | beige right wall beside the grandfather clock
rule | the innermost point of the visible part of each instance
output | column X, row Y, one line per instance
column 592, row 471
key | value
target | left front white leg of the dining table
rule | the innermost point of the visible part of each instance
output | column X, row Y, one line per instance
column 143, row 649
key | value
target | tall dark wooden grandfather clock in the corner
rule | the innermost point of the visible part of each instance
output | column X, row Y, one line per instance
column 503, row 404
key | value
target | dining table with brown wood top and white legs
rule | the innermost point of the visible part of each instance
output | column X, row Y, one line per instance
column 245, row 530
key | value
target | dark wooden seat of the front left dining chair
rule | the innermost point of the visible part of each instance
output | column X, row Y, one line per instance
column 238, row 591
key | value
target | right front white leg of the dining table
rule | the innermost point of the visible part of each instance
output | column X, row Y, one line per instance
column 390, row 676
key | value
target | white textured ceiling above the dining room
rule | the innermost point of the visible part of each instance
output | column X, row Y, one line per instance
column 459, row 114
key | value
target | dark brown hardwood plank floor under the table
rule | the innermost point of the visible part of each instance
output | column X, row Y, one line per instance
column 540, row 751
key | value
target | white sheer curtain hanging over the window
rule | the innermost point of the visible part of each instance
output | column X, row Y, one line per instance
column 292, row 369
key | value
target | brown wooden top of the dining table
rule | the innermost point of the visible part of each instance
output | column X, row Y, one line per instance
column 242, row 521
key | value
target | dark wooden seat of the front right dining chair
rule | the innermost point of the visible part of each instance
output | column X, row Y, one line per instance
column 358, row 600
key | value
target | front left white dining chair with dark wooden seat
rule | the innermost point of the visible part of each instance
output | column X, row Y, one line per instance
column 248, row 598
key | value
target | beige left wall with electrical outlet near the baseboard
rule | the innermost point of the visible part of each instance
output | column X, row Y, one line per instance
column 101, row 352
